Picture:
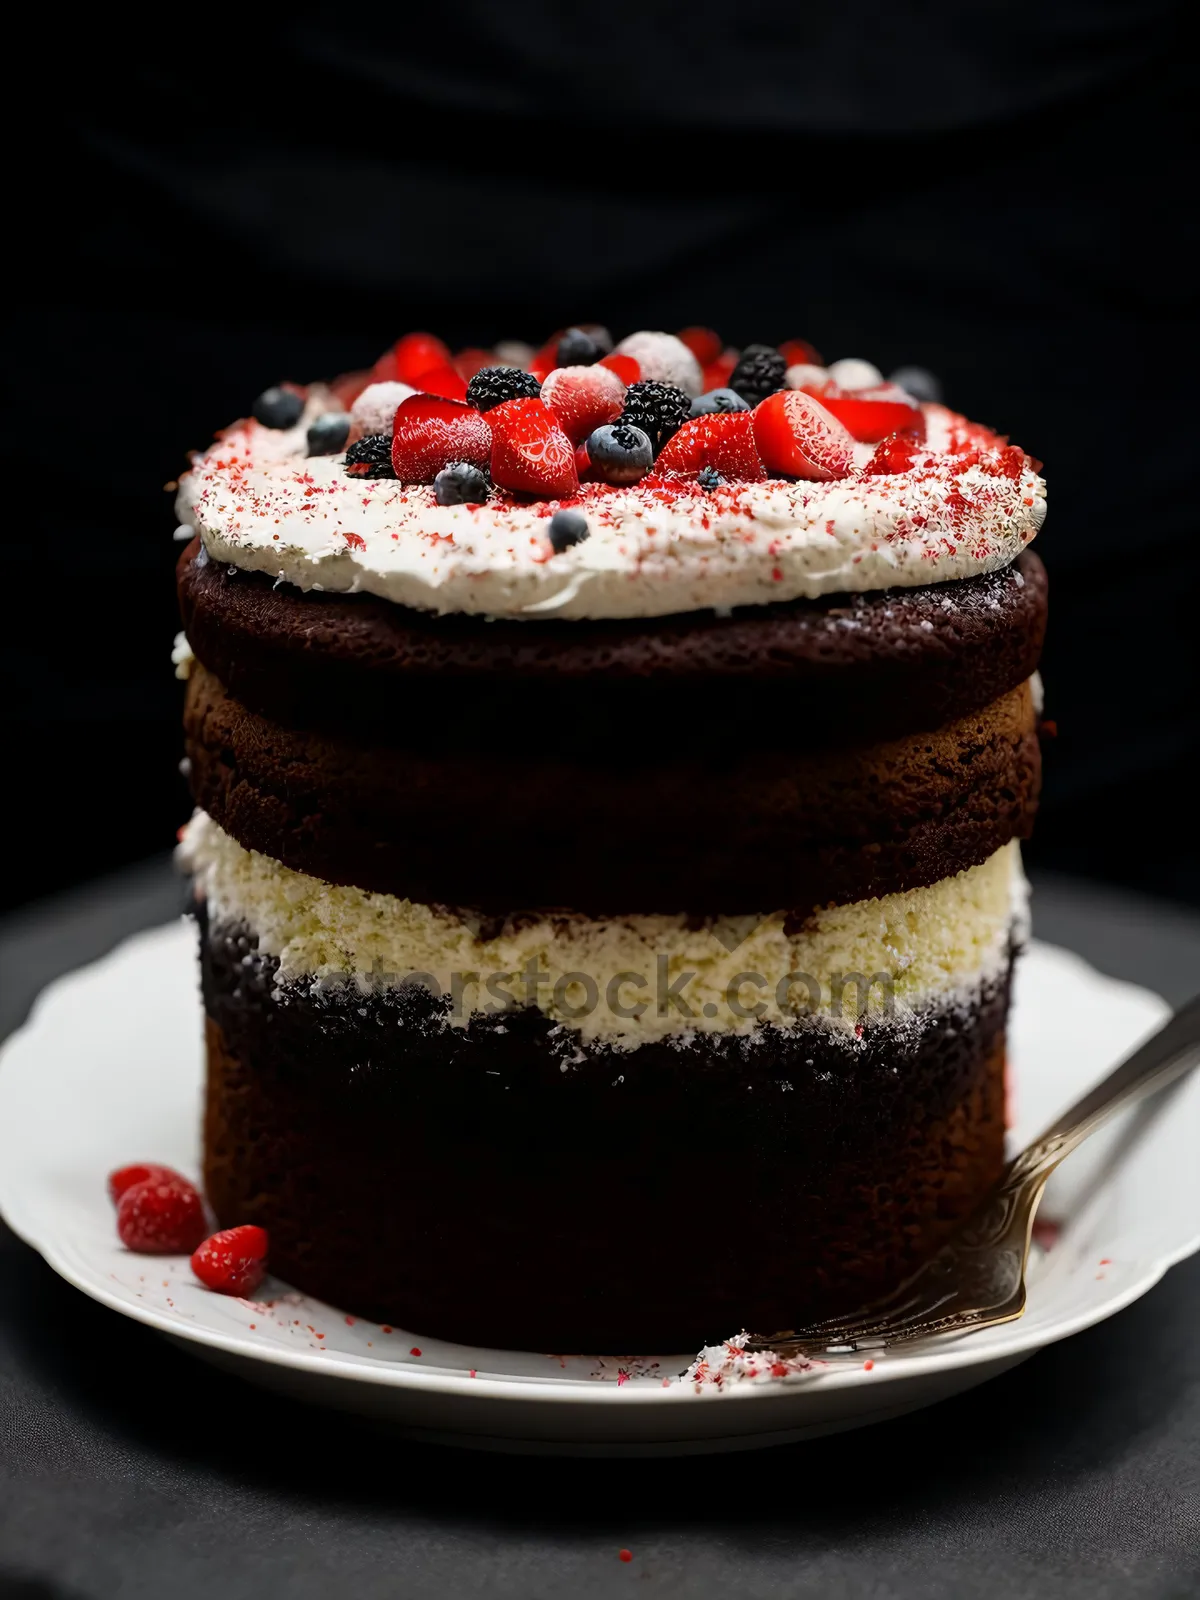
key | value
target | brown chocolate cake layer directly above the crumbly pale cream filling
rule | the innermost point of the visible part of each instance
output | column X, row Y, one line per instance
column 700, row 826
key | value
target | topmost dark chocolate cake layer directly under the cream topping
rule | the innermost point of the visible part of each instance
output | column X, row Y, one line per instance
column 841, row 670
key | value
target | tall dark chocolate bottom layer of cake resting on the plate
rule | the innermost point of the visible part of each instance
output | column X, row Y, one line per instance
column 460, row 1183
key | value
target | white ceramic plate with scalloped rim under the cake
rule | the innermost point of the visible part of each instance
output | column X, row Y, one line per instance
column 110, row 1071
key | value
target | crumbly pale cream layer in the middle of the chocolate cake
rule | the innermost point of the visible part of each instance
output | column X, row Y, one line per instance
column 924, row 948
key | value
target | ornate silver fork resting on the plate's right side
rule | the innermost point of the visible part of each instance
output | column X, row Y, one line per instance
column 978, row 1278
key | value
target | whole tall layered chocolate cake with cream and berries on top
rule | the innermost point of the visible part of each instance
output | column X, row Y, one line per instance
column 610, row 770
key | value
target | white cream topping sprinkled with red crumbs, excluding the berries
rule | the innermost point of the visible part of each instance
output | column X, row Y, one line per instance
column 262, row 505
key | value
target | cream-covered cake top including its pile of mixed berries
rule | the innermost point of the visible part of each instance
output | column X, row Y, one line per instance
column 599, row 489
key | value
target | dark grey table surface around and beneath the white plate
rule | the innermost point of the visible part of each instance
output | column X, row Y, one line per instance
column 127, row 1468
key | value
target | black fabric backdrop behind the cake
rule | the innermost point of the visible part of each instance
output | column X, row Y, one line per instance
column 1001, row 193
